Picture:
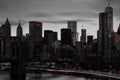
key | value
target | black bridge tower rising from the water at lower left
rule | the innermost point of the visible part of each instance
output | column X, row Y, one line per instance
column 18, row 71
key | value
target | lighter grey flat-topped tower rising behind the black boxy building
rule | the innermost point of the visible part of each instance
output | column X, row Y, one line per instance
column 73, row 26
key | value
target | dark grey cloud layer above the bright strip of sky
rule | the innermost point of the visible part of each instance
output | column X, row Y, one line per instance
column 22, row 9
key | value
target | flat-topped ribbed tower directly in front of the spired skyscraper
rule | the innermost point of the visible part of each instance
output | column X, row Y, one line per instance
column 103, row 34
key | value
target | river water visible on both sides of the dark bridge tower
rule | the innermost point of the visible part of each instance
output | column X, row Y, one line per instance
column 43, row 76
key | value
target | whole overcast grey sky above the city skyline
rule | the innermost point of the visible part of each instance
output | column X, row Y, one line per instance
column 55, row 13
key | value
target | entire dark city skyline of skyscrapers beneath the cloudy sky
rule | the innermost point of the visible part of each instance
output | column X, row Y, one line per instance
column 94, row 53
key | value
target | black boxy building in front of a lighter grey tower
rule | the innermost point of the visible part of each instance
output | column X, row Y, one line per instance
column 66, row 36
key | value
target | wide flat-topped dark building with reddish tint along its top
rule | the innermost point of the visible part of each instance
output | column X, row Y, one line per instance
column 35, row 29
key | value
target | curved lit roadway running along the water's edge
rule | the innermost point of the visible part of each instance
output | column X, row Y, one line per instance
column 104, row 75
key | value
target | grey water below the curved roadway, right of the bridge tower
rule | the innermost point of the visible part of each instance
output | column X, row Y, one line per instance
column 47, row 76
